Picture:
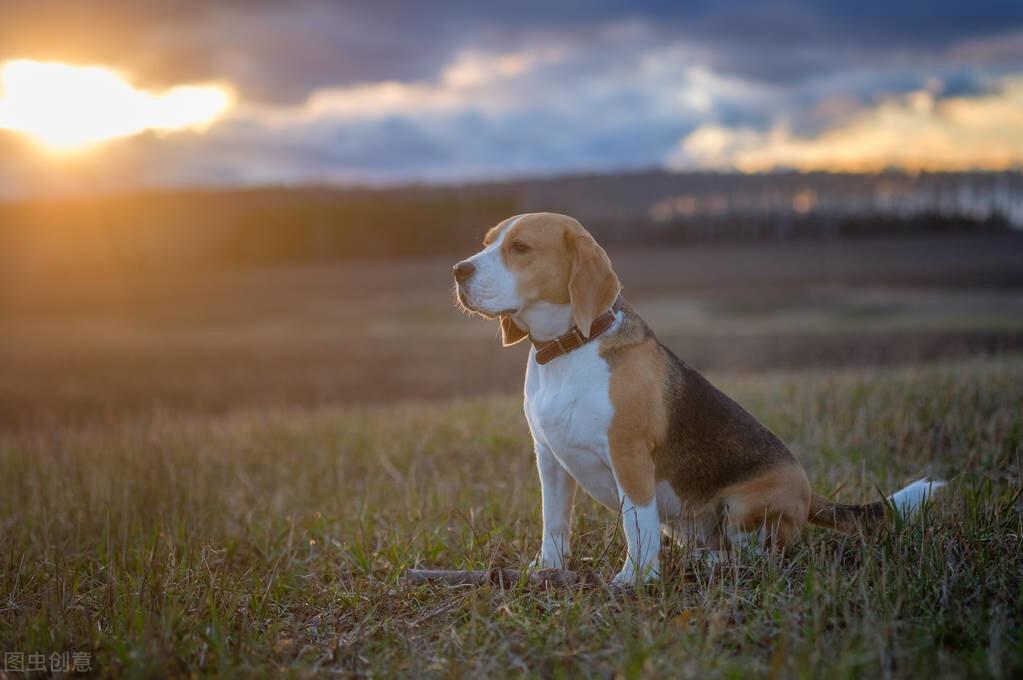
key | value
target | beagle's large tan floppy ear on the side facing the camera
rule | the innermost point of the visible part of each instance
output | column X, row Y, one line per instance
column 594, row 286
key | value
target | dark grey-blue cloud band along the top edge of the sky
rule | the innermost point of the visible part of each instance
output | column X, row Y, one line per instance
column 284, row 51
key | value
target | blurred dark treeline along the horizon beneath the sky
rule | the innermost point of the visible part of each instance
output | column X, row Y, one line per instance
column 239, row 228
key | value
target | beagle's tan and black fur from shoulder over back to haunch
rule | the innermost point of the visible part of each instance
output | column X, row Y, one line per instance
column 717, row 457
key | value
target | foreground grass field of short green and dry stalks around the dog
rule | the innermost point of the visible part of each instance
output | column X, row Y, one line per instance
column 273, row 540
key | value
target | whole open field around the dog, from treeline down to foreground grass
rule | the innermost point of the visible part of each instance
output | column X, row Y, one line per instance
column 225, row 473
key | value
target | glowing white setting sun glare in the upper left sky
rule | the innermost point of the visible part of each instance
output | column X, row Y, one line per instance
column 67, row 108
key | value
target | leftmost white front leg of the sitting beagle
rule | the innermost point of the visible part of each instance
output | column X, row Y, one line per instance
column 558, row 491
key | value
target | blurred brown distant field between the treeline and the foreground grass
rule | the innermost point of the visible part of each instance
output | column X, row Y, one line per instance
column 76, row 347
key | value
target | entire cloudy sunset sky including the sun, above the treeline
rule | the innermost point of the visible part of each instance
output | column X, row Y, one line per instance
column 255, row 93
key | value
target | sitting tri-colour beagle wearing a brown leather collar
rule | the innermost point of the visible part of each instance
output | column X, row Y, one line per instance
column 613, row 411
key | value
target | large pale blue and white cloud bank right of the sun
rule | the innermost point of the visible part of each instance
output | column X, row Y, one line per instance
column 539, row 110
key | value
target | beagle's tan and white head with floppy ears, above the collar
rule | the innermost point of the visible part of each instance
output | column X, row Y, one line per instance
column 538, row 258
